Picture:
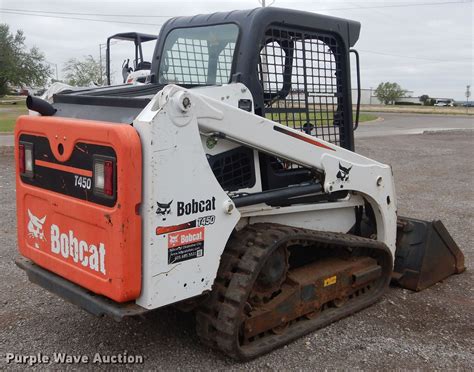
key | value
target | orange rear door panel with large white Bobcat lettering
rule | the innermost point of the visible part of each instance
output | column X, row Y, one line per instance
column 93, row 245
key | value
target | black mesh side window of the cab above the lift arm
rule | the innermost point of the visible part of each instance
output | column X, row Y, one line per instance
column 301, row 76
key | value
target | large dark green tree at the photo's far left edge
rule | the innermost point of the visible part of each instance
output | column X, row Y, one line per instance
column 18, row 65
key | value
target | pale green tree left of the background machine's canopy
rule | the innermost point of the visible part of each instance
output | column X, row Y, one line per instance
column 84, row 72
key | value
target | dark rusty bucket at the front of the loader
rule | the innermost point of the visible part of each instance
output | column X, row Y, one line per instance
column 426, row 253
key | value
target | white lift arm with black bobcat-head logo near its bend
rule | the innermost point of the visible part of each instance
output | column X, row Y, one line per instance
column 343, row 169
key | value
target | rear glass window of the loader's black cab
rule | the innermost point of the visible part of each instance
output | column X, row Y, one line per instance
column 198, row 55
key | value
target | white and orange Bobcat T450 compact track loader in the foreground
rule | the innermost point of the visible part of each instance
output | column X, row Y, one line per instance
column 228, row 185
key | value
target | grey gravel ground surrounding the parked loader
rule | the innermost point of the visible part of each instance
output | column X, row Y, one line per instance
column 430, row 330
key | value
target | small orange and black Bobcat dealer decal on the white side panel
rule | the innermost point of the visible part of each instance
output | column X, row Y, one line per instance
column 185, row 245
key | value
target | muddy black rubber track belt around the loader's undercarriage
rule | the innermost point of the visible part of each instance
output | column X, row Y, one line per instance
column 219, row 318
